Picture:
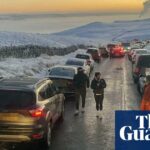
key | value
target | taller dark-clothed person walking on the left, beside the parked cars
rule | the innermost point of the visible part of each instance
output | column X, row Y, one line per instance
column 81, row 82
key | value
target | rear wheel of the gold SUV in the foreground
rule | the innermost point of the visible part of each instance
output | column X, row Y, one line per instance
column 46, row 141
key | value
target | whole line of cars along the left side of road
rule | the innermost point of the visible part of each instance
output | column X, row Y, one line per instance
column 30, row 107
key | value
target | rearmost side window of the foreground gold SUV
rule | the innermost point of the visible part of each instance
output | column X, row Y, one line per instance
column 45, row 93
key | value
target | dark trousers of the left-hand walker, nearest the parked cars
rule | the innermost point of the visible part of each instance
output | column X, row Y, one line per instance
column 80, row 93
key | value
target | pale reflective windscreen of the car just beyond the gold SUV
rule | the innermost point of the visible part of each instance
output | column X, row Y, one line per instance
column 66, row 72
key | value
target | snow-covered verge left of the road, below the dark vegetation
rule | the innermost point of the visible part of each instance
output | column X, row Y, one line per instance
column 12, row 67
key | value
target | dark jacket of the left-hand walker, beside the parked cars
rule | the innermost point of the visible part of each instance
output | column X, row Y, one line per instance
column 81, row 81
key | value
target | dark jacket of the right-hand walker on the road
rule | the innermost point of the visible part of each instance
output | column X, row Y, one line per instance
column 98, row 86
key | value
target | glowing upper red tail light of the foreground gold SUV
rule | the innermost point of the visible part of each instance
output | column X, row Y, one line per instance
column 38, row 112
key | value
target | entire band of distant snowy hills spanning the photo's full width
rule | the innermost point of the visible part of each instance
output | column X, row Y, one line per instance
column 93, row 33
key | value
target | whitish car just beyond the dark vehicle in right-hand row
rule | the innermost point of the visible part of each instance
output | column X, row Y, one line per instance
column 136, row 53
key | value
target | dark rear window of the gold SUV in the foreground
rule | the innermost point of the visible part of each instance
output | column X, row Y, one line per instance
column 10, row 99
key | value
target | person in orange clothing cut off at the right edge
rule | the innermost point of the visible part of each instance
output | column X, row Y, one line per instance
column 145, row 103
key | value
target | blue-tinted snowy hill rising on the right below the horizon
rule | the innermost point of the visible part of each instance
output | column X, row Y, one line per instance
column 116, row 31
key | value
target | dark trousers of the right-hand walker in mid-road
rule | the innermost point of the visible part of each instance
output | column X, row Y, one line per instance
column 99, row 101
